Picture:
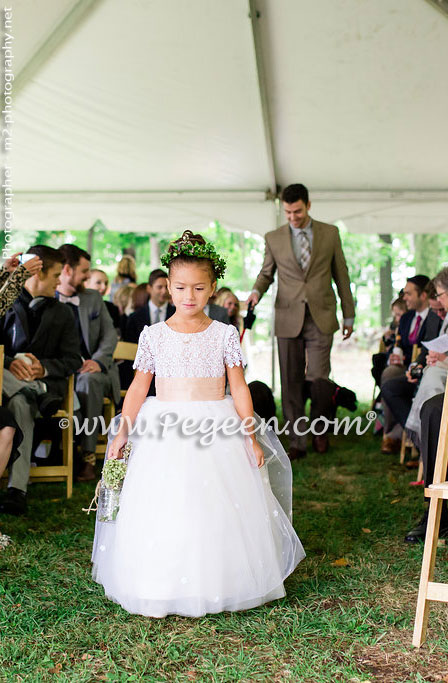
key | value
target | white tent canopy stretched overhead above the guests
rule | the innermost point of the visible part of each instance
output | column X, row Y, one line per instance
column 153, row 115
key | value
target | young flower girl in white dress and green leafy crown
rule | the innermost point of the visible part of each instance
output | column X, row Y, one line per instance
column 199, row 528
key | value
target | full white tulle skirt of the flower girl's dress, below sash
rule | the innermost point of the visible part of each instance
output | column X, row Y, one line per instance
column 199, row 528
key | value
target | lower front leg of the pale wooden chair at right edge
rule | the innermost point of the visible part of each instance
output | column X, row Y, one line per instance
column 428, row 564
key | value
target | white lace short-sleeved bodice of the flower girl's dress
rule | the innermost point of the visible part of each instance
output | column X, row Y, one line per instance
column 167, row 353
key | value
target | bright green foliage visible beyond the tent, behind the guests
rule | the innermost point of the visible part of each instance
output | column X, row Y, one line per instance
column 244, row 253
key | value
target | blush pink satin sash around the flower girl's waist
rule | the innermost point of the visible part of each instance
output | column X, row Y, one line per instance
column 190, row 388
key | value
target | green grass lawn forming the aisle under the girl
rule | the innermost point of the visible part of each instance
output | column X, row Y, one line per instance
column 337, row 623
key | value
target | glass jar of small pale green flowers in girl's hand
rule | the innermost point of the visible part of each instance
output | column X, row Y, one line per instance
column 108, row 490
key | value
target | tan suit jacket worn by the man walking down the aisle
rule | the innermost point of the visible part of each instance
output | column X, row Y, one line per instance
column 313, row 286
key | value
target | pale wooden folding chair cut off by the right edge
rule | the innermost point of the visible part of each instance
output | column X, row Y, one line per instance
column 437, row 492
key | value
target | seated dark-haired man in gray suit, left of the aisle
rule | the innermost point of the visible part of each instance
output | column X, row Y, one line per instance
column 98, row 377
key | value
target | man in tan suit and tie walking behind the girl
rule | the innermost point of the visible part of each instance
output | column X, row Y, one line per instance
column 308, row 256
